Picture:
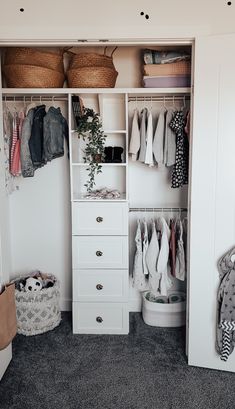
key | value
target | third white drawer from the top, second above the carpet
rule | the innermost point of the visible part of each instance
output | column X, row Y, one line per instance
column 100, row 285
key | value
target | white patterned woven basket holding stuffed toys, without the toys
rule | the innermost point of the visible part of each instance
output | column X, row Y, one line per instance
column 38, row 312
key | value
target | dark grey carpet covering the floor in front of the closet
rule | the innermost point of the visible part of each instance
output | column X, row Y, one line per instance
column 146, row 369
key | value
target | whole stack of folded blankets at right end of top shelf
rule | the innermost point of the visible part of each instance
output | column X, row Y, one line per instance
column 163, row 69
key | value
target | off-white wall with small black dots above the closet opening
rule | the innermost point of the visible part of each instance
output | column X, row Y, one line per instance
column 72, row 20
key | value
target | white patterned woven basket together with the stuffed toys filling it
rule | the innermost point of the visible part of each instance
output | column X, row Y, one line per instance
column 37, row 299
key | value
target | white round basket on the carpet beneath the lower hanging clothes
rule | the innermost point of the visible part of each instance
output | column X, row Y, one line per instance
column 163, row 315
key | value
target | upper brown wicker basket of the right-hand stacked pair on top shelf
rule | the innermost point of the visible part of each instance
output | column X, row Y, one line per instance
column 90, row 60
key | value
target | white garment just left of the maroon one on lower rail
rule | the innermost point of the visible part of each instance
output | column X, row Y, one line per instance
column 162, row 264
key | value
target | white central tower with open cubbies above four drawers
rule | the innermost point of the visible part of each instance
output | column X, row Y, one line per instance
column 100, row 227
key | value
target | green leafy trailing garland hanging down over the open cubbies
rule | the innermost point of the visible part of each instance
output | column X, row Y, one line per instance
column 89, row 127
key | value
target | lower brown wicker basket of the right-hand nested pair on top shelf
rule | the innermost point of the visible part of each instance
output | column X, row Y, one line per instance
column 92, row 77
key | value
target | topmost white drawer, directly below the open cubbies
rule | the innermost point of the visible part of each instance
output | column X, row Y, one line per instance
column 100, row 218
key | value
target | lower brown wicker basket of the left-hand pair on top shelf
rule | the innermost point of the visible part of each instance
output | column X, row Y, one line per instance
column 32, row 76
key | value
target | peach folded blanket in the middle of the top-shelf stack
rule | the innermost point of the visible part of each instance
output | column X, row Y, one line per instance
column 176, row 68
